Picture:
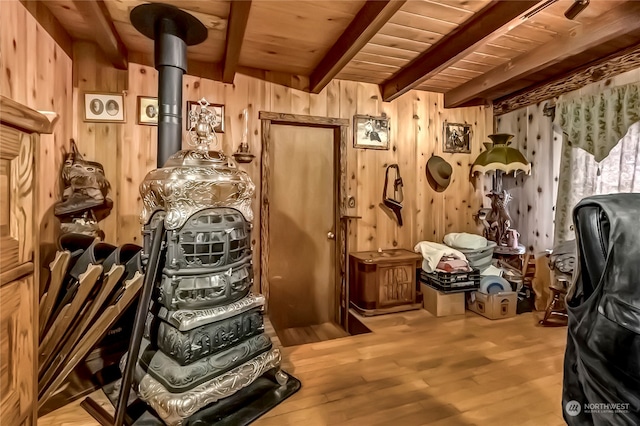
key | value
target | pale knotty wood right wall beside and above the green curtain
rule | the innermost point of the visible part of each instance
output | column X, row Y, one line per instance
column 533, row 206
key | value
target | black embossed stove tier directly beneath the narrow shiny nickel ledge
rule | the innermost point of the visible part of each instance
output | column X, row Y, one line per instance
column 192, row 345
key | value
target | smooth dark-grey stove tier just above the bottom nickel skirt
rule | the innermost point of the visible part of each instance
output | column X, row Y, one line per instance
column 177, row 378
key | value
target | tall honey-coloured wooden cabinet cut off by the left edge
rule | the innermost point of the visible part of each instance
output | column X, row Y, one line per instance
column 20, row 129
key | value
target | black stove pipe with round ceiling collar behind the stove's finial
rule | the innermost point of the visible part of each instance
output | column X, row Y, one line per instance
column 172, row 29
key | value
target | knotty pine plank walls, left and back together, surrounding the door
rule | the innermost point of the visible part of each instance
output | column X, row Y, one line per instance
column 43, row 77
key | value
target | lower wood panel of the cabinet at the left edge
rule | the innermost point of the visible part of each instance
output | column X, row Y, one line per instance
column 17, row 352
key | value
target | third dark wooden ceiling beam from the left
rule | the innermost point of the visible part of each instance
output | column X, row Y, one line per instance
column 369, row 20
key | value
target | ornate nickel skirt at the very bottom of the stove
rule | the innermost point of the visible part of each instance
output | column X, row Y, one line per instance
column 173, row 408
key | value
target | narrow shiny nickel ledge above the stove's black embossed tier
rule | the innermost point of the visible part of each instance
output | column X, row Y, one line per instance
column 186, row 319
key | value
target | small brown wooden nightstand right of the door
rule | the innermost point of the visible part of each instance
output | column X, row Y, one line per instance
column 383, row 282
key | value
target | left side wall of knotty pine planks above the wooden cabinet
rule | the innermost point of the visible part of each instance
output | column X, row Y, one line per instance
column 36, row 72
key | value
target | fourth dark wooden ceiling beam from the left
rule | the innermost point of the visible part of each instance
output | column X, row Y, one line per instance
column 492, row 21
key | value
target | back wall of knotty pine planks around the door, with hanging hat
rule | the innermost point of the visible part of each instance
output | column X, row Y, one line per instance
column 416, row 131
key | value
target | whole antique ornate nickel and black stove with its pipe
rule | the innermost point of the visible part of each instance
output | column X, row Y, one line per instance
column 198, row 353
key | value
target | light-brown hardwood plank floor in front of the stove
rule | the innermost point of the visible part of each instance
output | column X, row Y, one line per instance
column 416, row 369
